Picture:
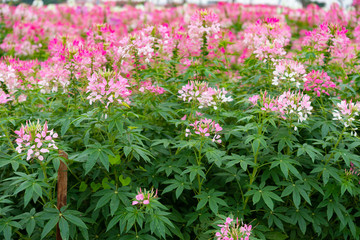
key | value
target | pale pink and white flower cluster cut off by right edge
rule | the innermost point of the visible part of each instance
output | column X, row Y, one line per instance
column 346, row 113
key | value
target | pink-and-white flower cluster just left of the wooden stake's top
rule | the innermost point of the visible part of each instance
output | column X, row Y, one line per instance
column 36, row 140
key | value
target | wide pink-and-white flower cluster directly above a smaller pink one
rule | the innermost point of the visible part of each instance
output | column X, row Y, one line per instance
column 206, row 96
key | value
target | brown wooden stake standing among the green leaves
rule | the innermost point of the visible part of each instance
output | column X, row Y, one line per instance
column 62, row 189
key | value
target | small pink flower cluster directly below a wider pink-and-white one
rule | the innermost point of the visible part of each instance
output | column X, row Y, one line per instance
column 205, row 128
